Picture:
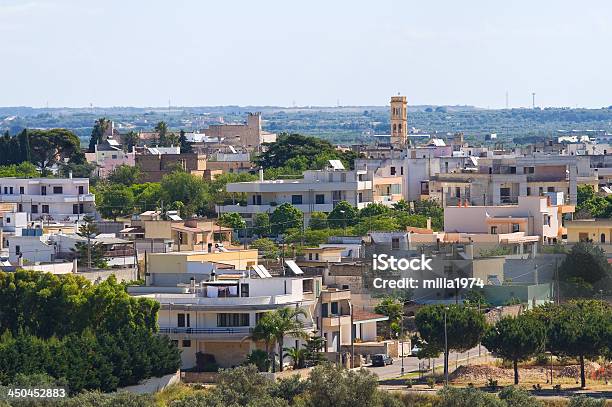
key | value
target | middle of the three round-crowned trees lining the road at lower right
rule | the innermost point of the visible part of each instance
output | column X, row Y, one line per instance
column 516, row 339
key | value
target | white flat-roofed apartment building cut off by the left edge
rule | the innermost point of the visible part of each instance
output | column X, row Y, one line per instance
column 58, row 199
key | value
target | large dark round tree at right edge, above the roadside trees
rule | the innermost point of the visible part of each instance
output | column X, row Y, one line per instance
column 585, row 271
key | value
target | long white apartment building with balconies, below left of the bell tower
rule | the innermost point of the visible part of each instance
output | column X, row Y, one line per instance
column 318, row 191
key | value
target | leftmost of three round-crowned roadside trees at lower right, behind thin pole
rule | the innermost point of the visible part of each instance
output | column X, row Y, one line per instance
column 464, row 327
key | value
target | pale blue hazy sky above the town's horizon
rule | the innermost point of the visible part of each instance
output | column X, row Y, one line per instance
column 317, row 52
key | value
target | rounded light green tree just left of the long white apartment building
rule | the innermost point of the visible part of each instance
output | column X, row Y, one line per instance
column 186, row 188
